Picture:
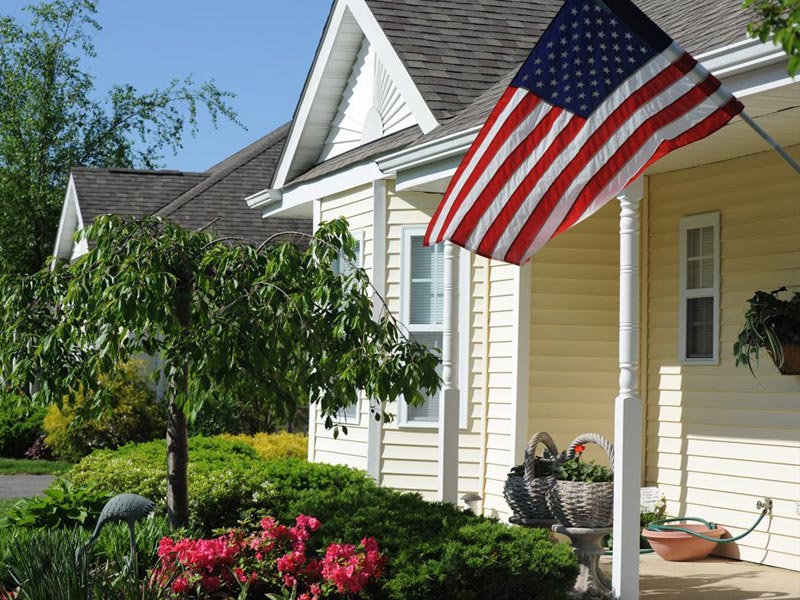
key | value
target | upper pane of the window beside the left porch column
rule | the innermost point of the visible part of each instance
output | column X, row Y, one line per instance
column 426, row 293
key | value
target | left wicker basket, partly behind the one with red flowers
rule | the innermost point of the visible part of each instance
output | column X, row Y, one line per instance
column 527, row 495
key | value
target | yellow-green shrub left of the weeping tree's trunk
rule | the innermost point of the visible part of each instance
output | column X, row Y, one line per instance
column 132, row 416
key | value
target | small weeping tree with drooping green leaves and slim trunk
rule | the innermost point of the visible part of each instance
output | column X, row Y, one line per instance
column 223, row 317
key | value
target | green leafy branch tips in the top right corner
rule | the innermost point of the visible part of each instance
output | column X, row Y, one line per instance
column 778, row 20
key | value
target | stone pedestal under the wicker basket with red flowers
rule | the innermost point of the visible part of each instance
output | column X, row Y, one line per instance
column 591, row 583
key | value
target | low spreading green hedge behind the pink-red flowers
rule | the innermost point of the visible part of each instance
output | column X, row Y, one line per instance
column 434, row 549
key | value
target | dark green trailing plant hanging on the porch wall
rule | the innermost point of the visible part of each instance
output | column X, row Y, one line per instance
column 771, row 323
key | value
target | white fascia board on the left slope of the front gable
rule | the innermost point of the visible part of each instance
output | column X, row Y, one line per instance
column 309, row 92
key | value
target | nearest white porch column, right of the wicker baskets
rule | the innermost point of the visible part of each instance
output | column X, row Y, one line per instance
column 628, row 405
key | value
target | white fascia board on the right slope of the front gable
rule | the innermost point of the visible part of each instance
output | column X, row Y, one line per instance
column 387, row 55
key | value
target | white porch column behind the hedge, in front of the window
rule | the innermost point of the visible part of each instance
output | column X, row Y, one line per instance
column 448, row 400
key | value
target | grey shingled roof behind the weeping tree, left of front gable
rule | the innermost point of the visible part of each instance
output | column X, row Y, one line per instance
column 193, row 200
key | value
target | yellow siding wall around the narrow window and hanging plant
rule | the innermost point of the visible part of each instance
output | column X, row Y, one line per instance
column 717, row 439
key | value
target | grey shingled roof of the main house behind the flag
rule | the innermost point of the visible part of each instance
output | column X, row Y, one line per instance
column 462, row 54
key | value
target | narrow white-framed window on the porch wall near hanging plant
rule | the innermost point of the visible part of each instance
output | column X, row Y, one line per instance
column 699, row 289
